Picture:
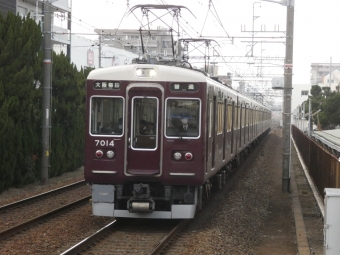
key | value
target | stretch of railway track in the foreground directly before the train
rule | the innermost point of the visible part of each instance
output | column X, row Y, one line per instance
column 118, row 237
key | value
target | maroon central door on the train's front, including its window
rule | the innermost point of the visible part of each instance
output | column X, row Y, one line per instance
column 144, row 125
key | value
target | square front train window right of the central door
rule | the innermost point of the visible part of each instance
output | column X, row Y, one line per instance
column 182, row 117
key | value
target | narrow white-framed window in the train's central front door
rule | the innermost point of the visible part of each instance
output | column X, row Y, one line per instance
column 144, row 123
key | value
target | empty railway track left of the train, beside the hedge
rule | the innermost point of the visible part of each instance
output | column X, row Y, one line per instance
column 23, row 214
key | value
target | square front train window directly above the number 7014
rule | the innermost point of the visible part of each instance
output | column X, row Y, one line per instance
column 107, row 116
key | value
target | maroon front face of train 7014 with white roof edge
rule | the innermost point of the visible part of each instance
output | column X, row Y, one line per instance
column 144, row 143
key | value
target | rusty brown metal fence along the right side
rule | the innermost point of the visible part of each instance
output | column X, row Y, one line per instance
column 323, row 167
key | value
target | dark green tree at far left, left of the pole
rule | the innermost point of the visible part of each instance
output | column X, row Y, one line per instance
column 20, row 40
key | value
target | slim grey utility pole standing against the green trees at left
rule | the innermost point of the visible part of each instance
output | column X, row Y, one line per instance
column 47, row 90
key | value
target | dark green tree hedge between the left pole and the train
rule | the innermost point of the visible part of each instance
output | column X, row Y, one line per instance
column 68, row 116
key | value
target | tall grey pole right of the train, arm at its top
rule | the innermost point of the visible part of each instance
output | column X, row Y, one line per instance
column 287, row 93
